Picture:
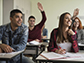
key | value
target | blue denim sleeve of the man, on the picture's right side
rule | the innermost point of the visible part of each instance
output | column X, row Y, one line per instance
column 22, row 41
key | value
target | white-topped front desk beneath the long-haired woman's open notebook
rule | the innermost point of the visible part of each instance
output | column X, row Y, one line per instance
column 41, row 59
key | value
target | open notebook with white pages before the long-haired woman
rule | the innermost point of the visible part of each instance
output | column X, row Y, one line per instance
column 53, row 55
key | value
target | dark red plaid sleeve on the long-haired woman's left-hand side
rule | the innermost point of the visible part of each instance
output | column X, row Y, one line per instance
column 52, row 44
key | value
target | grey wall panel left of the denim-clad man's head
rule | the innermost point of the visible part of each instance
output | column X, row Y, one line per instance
column 7, row 7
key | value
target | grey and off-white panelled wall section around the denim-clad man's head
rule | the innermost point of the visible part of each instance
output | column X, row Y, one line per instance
column 23, row 5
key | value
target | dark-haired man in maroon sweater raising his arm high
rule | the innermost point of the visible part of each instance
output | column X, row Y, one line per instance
column 35, row 30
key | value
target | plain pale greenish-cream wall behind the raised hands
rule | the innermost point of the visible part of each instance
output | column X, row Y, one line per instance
column 54, row 8
